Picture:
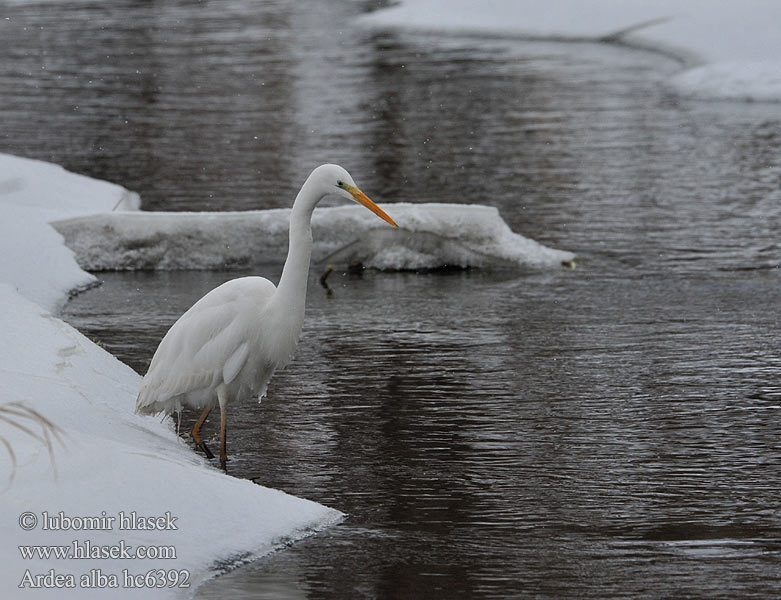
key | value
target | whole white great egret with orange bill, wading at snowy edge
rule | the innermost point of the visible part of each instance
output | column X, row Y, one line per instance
column 228, row 344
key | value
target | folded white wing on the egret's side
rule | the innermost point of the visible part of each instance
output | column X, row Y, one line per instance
column 208, row 345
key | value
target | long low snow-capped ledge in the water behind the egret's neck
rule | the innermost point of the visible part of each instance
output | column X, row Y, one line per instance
column 429, row 236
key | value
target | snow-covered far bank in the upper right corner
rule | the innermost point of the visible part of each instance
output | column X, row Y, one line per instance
column 731, row 49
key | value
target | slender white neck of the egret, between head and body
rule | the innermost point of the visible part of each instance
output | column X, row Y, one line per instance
column 291, row 290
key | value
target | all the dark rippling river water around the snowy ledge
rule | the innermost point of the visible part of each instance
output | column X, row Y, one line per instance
column 610, row 431
